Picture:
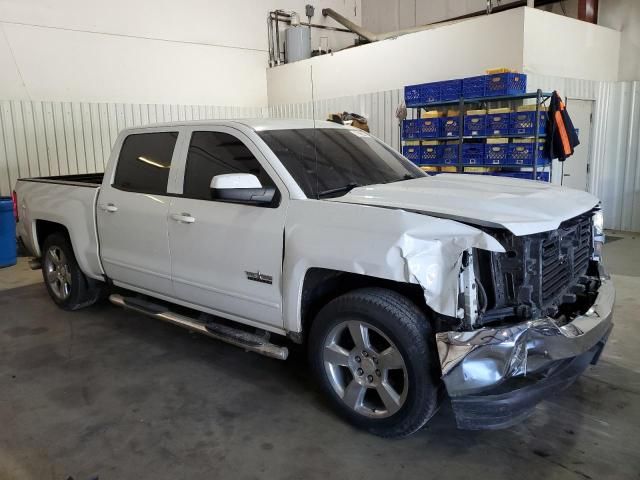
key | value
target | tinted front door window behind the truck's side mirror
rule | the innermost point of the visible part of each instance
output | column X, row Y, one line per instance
column 217, row 153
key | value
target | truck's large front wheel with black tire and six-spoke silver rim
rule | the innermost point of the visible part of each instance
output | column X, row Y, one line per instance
column 396, row 401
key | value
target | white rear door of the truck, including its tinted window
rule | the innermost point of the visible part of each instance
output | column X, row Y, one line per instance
column 132, row 212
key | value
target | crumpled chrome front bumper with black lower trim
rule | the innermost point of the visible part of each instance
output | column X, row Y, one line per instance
column 496, row 376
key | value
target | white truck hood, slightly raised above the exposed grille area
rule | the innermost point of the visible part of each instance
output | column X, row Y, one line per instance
column 522, row 206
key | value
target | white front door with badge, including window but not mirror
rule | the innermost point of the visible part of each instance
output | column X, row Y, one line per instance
column 227, row 257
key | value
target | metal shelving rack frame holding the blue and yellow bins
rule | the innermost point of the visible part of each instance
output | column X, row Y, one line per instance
column 483, row 102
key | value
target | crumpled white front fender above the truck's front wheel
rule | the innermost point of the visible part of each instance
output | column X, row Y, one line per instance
column 379, row 242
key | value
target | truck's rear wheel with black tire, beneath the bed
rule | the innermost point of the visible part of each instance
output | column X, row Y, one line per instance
column 68, row 287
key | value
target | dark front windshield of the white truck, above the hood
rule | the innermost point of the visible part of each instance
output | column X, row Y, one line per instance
column 328, row 162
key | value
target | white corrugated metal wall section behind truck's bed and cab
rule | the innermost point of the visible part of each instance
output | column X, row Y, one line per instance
column 60, row 138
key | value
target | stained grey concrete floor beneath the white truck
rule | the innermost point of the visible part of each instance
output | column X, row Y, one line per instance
column 111, row 394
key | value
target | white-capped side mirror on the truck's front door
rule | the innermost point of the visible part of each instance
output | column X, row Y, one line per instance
column 241, row 188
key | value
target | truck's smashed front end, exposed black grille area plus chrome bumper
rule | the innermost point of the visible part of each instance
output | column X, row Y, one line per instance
column 534, row 317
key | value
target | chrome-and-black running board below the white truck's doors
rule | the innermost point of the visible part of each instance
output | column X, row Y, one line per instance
column 233, row 336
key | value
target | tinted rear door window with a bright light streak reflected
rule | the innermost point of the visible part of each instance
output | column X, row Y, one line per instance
column 145, row 161
